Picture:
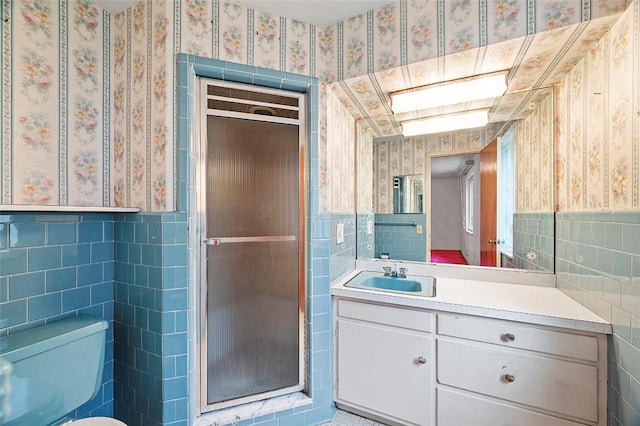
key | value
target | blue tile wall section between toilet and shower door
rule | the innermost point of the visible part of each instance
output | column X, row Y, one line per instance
column 151, row 318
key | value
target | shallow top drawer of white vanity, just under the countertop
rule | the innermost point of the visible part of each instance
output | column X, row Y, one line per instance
column 517, row 335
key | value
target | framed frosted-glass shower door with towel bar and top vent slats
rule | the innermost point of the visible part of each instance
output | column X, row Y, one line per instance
column 251, row 202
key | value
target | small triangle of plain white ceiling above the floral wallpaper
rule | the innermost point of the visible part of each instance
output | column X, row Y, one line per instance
column 317, row 12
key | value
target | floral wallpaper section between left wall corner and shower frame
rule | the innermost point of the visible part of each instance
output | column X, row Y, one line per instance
column 143, row 111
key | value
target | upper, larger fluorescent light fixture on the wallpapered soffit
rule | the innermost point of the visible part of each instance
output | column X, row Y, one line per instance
column 454, row 92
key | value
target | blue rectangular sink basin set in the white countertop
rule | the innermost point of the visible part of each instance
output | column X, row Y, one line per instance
column 415, row 285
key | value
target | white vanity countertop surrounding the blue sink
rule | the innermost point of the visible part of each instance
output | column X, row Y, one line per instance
column 524, row 303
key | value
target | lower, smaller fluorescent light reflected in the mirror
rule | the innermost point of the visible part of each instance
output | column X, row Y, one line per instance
column 446, row 123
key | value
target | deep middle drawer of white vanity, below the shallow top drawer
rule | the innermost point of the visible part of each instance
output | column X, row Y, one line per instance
column 550, row 384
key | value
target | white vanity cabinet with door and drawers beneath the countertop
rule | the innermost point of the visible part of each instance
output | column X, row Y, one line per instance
column 412, row 366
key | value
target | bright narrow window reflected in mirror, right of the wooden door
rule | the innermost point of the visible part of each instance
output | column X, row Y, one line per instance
column 506, row 191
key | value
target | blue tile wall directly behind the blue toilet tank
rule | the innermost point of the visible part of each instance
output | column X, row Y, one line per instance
column 57, row 265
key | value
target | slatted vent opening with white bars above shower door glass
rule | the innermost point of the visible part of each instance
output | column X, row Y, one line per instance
column 268, row 105
